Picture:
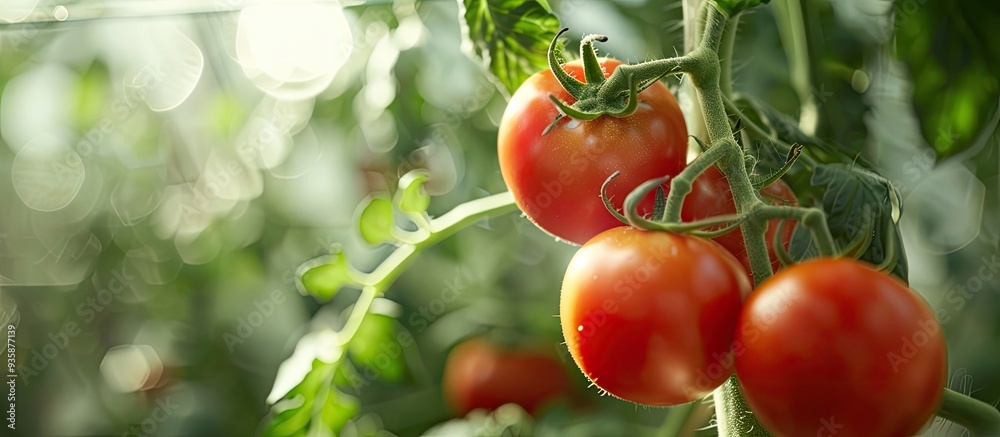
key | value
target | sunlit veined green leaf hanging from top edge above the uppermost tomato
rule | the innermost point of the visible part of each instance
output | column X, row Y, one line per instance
column 510, row 36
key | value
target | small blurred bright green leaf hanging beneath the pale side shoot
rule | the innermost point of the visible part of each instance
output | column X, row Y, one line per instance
column 376, row 347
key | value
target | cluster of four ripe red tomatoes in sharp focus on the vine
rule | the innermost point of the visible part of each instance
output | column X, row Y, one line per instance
column 830, row 345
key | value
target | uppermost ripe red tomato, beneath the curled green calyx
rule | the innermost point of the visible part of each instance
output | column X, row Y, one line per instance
column 556, row 177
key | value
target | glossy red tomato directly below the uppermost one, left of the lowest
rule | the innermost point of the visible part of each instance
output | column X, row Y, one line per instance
column 649, row 316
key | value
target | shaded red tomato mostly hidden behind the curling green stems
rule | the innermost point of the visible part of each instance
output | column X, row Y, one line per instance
column 710, row 196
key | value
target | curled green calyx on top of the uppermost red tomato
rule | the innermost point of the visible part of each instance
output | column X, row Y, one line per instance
column 598, row 95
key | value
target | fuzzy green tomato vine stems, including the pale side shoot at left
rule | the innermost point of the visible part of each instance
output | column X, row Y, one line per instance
column 708, row 66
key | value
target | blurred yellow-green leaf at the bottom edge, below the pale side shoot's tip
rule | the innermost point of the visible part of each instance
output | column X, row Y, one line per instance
column 313, row 407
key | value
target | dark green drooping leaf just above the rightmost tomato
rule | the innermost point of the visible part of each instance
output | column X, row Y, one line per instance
column 856, row 201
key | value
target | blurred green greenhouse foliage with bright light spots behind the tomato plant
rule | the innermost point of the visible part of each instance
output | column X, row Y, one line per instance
column 165, row 167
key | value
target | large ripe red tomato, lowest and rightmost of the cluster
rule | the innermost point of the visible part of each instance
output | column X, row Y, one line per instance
column 835, row 342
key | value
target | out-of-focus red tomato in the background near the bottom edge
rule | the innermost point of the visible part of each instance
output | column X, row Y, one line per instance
column 481, row 374
